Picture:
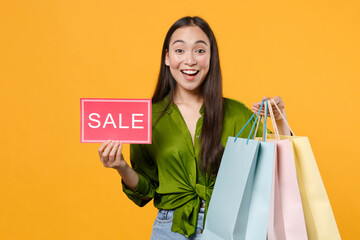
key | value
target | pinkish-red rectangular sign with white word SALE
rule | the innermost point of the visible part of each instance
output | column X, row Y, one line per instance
column 127, row 120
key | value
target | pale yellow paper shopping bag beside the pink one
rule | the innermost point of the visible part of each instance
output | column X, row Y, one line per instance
column 319, row 218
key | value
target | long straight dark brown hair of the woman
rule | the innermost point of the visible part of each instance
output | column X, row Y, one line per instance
column 211, row 88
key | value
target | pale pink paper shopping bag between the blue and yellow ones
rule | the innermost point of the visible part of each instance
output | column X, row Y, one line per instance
column 286, row 212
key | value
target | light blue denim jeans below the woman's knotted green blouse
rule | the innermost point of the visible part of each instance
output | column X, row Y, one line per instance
column 162, row 226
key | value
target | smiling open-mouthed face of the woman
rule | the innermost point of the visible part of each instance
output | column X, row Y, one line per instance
column 188, row 57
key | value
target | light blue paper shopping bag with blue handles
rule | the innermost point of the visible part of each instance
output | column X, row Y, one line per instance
column 240, row 202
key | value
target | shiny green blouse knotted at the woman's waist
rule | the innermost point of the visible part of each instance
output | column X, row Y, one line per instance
column 168, row 168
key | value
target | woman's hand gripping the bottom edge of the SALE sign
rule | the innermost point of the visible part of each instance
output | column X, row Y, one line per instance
column 111, row 156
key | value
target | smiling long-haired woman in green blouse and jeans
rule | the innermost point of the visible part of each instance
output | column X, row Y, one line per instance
column 191, row 124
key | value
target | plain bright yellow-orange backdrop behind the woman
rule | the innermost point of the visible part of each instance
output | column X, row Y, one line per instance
column 55, row 52
